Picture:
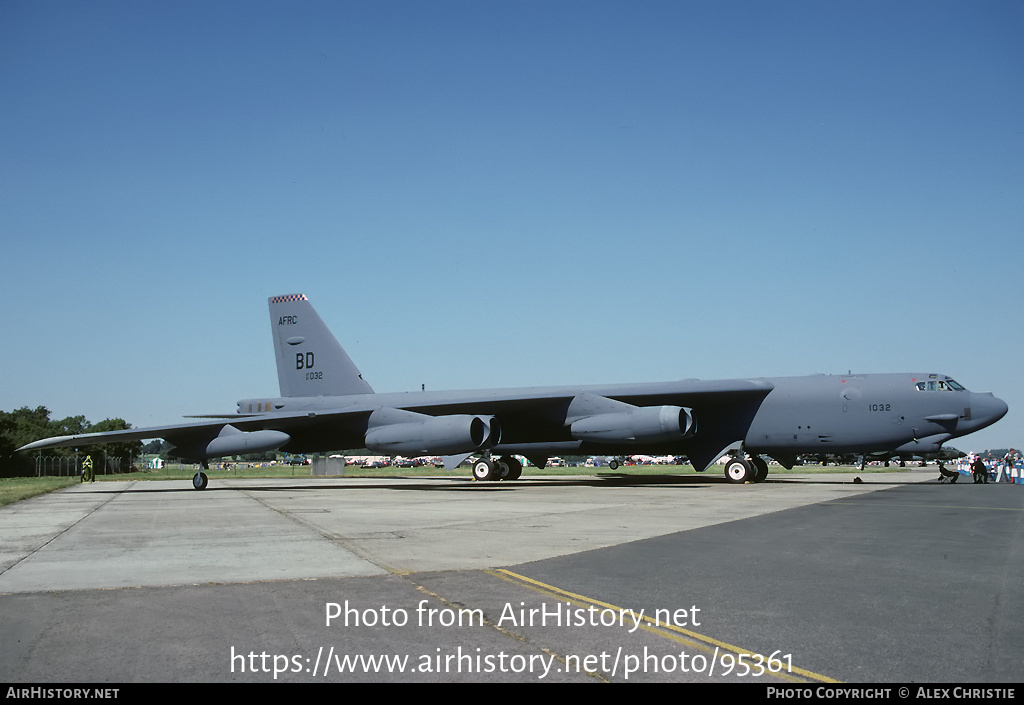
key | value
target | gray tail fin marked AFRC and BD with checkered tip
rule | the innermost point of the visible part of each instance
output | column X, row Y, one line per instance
column 311, row 363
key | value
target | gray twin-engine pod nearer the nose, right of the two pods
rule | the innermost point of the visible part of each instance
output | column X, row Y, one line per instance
column 643, row 425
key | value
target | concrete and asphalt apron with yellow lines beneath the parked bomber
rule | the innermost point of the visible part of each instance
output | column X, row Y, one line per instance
column 805, row 578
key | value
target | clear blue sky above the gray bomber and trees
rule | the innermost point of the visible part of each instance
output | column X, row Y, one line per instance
column 502, row 194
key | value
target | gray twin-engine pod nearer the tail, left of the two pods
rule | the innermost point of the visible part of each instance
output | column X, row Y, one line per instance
column 395, row 431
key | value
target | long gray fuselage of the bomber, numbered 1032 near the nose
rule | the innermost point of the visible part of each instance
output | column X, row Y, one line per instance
column 782, row 418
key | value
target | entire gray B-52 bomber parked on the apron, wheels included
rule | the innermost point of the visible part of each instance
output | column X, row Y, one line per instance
column 326, row 405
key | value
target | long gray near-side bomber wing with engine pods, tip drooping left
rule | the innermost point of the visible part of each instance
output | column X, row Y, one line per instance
column 533, row 422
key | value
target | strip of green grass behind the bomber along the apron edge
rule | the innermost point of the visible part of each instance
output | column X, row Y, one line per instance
column 16, row 489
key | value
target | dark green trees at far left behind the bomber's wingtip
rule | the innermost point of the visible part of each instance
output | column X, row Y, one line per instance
column 25, row 426
